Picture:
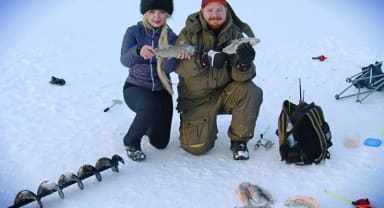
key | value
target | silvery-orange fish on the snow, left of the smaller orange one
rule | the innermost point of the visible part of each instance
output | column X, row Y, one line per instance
column 254, row 196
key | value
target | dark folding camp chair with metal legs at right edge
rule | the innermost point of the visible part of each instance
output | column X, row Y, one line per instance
column 371, row 77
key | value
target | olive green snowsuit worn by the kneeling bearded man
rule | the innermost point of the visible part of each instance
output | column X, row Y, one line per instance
column 205, row 92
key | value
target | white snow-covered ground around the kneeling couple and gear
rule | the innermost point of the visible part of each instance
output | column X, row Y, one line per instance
column 47, row 130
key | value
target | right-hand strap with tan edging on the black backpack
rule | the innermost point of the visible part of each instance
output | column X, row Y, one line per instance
column 316, row 117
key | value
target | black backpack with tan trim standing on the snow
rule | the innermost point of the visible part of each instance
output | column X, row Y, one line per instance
column 310, row 130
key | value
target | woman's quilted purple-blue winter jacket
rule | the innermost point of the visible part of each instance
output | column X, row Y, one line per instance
column 143, row 72
